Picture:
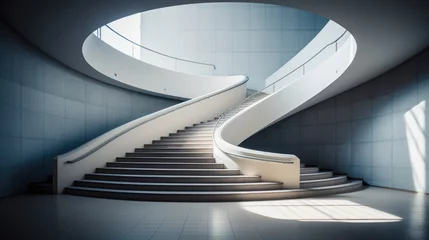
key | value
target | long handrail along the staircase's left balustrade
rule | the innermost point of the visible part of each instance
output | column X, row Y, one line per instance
column 149, row 117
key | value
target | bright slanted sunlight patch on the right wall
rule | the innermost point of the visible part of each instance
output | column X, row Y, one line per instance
column 415, row 131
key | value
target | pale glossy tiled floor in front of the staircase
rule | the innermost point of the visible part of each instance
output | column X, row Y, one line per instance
column 373, row 213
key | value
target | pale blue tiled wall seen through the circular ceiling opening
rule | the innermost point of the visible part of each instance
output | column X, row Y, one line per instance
column 239, row 38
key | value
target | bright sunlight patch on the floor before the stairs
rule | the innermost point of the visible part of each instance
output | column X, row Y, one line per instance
column 319, row 211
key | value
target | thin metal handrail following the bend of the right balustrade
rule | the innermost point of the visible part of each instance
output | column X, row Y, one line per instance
column 271, row 84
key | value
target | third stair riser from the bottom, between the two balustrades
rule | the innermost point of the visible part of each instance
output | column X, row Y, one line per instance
column 174, row 179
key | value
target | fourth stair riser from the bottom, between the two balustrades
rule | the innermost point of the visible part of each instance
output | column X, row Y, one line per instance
column 167, row 172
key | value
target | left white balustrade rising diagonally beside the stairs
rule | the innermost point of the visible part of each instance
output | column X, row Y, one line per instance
column 74, row 164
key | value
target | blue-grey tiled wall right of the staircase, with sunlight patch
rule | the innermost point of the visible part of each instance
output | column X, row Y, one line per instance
column 377, row 130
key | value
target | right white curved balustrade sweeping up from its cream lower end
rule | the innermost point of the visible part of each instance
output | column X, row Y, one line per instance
column 303, row 82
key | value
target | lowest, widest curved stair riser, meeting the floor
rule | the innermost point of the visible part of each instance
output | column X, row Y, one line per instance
column 212, row 197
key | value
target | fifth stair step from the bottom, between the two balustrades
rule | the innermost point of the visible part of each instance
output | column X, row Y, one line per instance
column 166, row 165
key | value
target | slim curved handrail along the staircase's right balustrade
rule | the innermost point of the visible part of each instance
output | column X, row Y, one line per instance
column 260, row 91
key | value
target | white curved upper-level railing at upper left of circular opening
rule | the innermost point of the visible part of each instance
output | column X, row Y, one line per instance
column 140, row 52
